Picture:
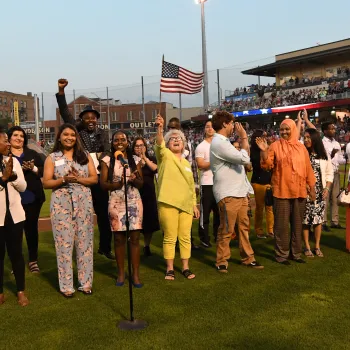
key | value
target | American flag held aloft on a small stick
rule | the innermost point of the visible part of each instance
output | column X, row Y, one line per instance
column 176, row 79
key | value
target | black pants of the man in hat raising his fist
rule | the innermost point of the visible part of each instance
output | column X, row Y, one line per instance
column 100, row 201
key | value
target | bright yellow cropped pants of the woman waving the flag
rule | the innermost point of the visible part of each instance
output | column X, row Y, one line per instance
column 176, row 224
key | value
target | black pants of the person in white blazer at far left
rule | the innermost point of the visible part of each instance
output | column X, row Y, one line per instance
column 11, row 237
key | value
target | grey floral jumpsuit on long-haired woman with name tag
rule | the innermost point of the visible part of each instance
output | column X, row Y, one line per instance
column 72, row 225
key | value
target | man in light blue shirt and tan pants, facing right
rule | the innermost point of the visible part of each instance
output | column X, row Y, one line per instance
column 231, row 188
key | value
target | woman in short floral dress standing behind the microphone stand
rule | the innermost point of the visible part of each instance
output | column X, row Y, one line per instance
column 112, row 180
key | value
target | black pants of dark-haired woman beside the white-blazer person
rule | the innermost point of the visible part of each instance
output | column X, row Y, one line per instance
column 31, row 228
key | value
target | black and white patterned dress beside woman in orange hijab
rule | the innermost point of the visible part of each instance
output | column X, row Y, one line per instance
column 314, row 211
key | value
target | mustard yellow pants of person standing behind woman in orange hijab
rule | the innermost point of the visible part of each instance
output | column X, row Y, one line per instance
column 259, row 193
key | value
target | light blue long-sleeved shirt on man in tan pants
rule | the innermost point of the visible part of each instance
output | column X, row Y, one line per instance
column 227, row 165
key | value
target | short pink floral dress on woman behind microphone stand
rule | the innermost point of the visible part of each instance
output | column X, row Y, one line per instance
column 116, row 206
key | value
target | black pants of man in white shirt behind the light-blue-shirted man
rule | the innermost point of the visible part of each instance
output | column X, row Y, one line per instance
column 208, row 204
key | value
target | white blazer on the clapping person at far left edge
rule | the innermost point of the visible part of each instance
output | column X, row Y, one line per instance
column 15, row 201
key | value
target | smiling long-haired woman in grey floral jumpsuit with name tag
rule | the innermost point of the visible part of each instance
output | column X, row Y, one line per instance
column 69, row 171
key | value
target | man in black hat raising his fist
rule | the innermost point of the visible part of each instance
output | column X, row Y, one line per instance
column 95, row 141
